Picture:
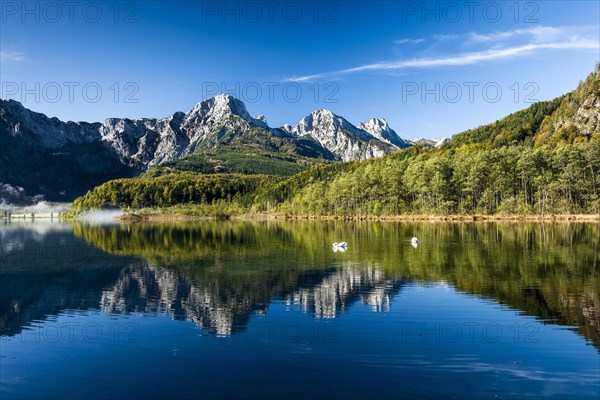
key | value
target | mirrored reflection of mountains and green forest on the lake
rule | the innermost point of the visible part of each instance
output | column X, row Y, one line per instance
column 219, row 274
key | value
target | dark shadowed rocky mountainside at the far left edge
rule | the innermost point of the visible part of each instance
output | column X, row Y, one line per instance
column 52, row 158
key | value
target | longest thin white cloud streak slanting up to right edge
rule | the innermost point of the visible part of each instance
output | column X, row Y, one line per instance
column 456, row 60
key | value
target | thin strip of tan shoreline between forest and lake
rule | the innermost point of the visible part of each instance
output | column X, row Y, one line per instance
column 174, row 217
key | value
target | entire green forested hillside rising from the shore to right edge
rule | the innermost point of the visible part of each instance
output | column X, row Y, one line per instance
column 541, row 160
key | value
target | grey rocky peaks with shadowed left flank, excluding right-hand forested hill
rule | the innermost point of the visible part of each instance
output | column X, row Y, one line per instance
column 62, row 160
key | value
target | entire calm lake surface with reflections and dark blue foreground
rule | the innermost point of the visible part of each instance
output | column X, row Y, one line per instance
column 268, row 310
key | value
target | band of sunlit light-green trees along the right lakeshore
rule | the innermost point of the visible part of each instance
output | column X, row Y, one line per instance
column 506, row 180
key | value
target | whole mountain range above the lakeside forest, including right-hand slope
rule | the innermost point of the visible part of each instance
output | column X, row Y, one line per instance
column 43, row 156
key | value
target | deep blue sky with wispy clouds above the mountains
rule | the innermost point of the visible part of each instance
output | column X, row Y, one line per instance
column 431, row 69
